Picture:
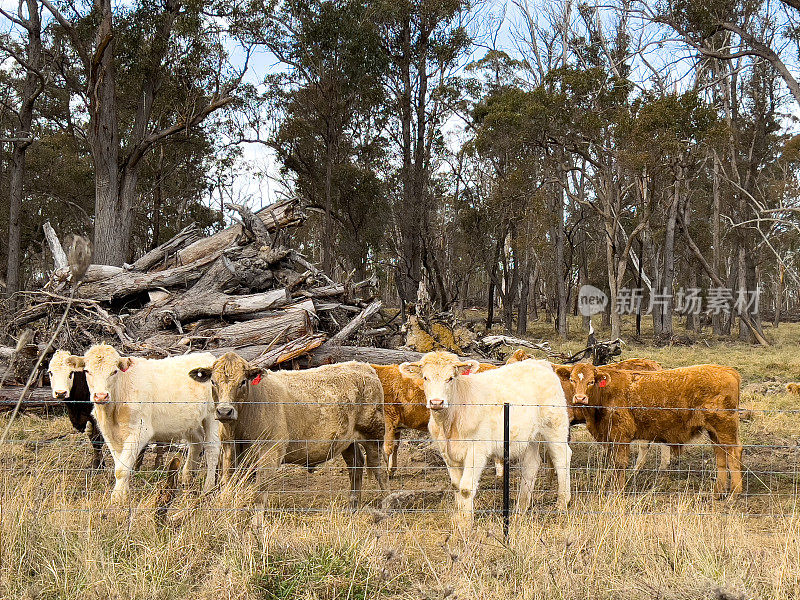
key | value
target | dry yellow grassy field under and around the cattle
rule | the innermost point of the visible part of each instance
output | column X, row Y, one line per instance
column 665, row 538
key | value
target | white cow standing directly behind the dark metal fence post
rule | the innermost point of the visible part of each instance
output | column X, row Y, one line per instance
column 467, row 420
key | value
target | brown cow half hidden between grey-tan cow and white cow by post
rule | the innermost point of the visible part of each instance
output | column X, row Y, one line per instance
column 404, row 408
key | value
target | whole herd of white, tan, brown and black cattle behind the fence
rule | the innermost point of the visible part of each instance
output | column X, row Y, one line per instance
column 261, row 419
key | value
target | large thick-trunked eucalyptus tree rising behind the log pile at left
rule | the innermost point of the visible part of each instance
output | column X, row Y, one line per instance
column 145, row 72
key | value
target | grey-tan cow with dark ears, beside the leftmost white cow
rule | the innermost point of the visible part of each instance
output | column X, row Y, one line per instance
column 297, row 417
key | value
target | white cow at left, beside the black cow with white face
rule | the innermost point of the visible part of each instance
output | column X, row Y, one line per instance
column 139, row 400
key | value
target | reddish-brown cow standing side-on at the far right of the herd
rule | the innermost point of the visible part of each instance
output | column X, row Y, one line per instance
column 670, row 407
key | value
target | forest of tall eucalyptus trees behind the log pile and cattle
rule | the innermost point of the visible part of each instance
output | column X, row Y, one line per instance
column 504, row 154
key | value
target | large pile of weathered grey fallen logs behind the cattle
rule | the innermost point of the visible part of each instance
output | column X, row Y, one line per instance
column 242, row 289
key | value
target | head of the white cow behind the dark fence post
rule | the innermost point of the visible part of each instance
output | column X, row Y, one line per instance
column 439, row 372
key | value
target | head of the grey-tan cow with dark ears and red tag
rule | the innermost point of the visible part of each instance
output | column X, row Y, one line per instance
column 231, row 377
